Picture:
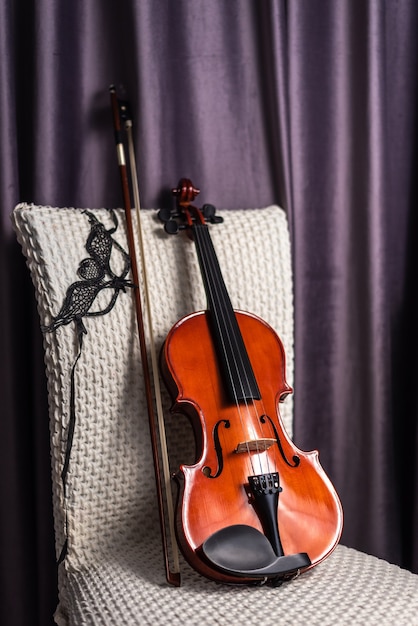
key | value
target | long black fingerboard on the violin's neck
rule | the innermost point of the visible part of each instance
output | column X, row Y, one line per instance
column 238, row 375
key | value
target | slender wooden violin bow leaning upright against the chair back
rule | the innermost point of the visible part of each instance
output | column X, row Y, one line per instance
column 172, row 575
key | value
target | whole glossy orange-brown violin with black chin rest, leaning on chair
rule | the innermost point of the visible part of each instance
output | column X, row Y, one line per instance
column 253, row 508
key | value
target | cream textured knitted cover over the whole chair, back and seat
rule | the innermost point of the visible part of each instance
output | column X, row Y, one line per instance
column 113, row 573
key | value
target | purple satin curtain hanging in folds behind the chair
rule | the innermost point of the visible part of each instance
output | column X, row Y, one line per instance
column 308, row 104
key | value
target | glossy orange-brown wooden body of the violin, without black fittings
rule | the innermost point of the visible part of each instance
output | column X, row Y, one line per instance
column 309, row 512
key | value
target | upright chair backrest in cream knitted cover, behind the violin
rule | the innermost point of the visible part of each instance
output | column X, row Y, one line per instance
column 110, row 484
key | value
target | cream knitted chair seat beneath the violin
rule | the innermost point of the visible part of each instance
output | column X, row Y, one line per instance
column 128, row 587
